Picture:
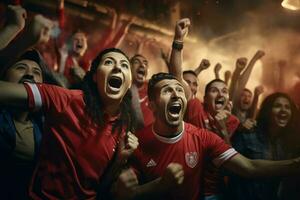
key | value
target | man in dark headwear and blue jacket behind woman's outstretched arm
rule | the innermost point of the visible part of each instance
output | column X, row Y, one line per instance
column 20, row 131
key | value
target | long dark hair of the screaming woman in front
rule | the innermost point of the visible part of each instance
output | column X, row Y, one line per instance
column 94, row 104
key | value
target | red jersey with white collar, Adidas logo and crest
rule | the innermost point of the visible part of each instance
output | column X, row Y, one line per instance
column 192, row 149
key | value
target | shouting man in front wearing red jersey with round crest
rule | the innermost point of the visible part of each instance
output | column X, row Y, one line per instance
column 172, row 154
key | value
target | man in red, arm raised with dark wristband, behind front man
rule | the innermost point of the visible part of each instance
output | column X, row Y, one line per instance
column 211, row 114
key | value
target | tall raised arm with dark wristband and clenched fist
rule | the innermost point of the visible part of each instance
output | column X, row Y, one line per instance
column 175, row 68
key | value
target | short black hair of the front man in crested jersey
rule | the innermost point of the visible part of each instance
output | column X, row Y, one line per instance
column 155, row 79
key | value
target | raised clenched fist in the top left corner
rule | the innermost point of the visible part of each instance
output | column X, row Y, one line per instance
column 16, row 16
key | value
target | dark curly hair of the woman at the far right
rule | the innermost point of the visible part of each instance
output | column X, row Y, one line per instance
column 264, row 115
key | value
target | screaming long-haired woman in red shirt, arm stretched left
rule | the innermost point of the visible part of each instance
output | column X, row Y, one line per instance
column 82, row 144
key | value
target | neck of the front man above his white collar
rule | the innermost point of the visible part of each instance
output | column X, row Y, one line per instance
column 166, row 130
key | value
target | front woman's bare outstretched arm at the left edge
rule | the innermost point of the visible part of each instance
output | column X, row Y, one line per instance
column 13, row 94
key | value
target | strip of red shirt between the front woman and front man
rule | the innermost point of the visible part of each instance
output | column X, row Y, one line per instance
column 144, row 102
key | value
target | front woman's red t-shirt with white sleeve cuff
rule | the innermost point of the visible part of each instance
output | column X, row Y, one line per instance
column 74, row 150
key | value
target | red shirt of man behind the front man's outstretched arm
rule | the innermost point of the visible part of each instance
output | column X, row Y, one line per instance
column 197, row 116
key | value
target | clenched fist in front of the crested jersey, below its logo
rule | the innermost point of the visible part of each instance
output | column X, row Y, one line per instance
column 173, row 176
